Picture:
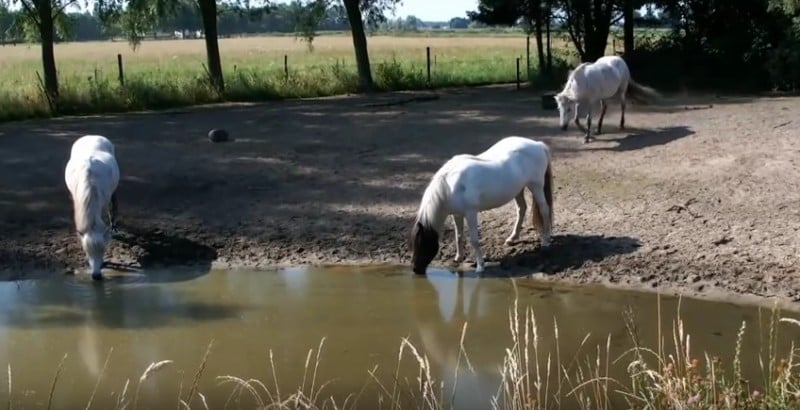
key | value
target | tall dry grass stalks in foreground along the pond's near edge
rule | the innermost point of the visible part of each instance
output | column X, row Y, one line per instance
column 667, row 376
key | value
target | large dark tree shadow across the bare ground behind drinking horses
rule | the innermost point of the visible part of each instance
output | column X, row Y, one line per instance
column 300, row 176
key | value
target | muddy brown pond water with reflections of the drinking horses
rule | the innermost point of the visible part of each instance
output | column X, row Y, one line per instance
column 111, row 331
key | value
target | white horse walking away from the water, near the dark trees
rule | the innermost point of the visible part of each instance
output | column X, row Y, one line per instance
column 606, row 78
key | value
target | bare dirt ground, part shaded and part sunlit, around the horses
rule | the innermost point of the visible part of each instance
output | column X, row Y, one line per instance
column 695, row 196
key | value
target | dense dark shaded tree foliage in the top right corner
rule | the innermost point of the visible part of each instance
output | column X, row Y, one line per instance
column 722, row 45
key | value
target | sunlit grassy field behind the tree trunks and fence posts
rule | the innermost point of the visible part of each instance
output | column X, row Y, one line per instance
column 171, row 73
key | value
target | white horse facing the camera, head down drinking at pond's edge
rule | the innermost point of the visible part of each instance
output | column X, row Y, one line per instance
column 92, row 176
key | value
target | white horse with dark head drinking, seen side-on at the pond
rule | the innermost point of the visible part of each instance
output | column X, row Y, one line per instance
column 468, row 184
